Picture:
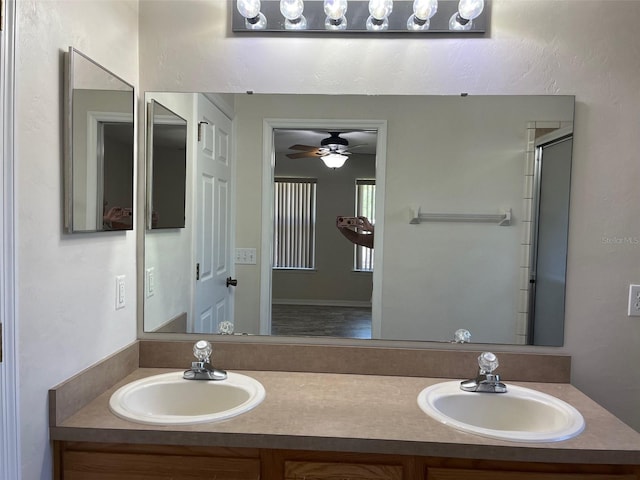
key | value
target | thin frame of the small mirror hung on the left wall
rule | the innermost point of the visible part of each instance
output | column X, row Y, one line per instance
column 69, row 79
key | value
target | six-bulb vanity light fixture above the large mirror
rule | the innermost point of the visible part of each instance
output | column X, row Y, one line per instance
column 364, row 17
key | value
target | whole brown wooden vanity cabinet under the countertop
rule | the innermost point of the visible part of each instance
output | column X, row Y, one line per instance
column 97, row 461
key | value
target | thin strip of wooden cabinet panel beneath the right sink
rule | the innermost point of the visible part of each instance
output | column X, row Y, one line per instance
column 462, row 474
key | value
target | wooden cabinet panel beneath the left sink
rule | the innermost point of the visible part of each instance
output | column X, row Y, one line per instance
column 125, row 466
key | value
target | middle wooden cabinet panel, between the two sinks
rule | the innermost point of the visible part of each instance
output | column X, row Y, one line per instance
column 340, row 471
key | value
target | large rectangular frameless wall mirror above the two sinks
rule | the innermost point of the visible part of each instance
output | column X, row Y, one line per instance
column 471, row 226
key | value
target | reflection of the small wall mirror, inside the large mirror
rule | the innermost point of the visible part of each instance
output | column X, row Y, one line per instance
column 166, row 167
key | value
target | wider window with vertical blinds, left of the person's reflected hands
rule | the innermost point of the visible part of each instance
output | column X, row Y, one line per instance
column 294, row 223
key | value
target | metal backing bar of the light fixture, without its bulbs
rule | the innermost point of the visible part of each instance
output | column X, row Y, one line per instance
column 357, row 14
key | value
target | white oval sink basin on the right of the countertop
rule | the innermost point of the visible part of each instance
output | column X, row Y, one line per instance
column 520, row 414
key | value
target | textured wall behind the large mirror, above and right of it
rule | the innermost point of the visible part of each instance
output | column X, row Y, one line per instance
column 587, row 48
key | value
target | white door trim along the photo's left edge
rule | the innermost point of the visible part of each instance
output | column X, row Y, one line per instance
column 9, row 394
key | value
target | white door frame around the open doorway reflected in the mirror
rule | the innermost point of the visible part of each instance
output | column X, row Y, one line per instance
column 268, row 170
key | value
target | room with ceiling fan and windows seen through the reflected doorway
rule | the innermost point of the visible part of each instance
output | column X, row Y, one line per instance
column 332, row 295
